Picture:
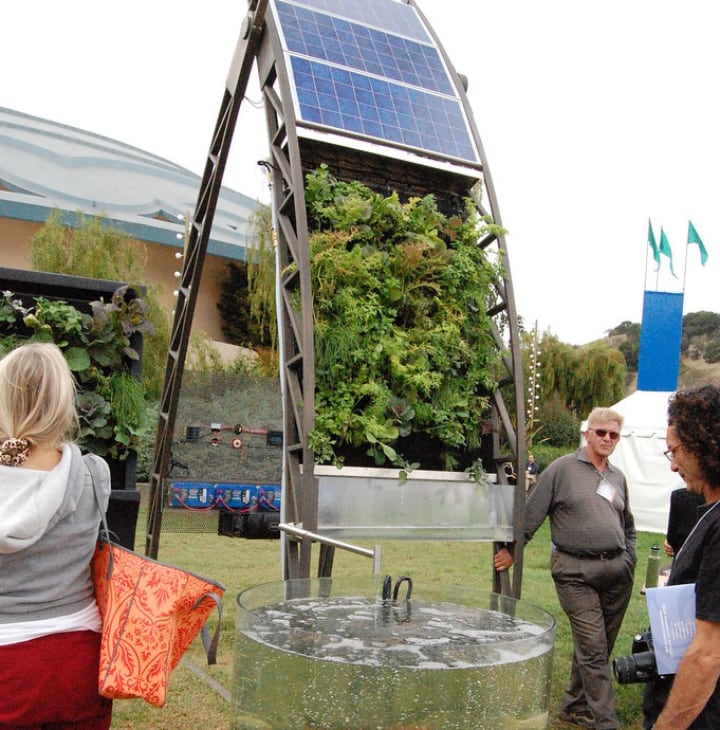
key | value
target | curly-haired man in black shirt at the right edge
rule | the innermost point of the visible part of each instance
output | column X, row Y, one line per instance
column 691, row 698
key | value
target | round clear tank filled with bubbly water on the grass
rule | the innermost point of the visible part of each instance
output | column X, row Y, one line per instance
column 331, row 653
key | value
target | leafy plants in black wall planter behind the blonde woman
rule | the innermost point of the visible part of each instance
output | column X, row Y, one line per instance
column 98, row 349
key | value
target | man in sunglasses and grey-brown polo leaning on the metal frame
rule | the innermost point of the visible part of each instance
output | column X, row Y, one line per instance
column 592, row 564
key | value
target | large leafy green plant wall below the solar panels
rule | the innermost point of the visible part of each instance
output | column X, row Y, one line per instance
column 405, row 360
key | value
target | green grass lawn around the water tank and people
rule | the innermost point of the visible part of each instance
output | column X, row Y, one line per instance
column 201, row 701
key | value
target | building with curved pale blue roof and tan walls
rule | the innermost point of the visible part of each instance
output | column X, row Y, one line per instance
column 46, row 166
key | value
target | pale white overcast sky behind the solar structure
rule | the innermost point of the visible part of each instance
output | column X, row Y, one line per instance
column 594, row 116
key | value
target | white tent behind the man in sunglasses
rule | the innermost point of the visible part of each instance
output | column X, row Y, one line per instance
column 640, row 455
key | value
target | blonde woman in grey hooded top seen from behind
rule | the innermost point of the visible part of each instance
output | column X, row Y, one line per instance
column 49, row 621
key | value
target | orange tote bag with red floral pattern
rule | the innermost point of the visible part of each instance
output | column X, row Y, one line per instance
column 151, row 614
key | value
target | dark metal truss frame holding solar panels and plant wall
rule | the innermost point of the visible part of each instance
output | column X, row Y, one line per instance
column 260, row 44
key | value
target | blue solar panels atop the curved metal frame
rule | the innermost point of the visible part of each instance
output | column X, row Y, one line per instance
column 381, row 78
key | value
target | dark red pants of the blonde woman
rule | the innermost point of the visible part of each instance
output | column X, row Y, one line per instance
column 51, row 684
